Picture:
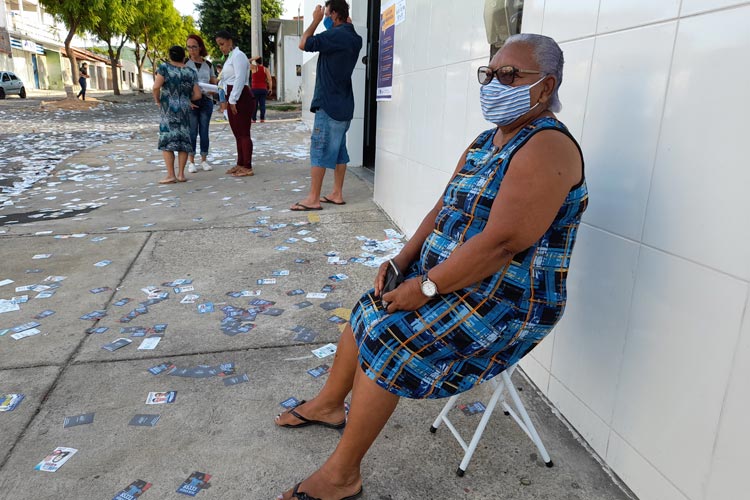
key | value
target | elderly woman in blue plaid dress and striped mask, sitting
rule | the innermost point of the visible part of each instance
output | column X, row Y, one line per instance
column 485, row 271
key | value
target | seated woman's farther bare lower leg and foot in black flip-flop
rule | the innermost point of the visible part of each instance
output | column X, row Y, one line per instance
column 328, row 405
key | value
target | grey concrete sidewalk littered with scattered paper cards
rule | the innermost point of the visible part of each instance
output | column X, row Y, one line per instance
column 211, row 230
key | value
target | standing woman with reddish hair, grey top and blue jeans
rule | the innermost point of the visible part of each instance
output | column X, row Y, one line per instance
column 200, row 118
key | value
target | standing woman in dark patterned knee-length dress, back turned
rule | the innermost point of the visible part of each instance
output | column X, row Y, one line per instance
column 174, row 87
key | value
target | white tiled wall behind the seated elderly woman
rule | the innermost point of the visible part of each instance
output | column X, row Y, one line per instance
column 651, row 361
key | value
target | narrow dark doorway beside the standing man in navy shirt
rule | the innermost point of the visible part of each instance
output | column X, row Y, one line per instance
column 371, row 83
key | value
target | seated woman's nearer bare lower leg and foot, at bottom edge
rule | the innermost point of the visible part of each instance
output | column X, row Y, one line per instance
column 340, row 476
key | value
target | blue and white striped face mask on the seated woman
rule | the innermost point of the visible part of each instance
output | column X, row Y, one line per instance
column 503, row 104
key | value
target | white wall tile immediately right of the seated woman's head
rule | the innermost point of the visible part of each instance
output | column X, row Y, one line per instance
column 630, row 85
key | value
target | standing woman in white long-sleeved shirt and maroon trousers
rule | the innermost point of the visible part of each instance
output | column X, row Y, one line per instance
column 241, row 102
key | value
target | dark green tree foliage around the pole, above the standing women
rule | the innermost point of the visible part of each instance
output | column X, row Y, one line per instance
column 235, row 16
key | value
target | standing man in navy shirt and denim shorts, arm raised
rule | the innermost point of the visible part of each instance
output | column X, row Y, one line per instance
column 333, row 102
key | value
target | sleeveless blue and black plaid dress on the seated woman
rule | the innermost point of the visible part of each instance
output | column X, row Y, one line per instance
column 460, row 339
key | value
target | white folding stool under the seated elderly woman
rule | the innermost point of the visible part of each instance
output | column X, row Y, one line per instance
column 501, row 382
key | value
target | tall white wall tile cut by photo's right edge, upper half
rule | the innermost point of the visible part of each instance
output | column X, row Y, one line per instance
column 701, row 175
